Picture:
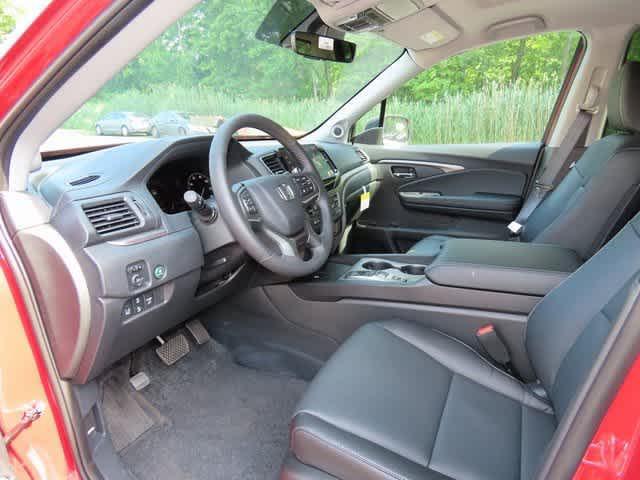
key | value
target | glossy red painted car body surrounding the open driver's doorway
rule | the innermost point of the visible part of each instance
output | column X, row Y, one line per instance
column 45, row 449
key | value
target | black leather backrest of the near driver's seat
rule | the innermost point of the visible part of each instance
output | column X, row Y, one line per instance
column 566, row 330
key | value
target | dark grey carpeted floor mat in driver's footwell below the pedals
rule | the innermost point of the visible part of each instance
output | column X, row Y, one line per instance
column 223, row 420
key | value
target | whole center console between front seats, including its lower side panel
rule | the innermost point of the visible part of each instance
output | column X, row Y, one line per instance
column 469, row 284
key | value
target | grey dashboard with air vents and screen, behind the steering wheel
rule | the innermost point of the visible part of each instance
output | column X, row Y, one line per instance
column 134, row 263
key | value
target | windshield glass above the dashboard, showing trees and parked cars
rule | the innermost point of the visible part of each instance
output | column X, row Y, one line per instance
column 220, row 60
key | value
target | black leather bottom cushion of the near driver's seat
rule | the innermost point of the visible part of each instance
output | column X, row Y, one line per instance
column 401, row 401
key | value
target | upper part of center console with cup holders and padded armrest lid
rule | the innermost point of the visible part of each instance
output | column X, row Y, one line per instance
column 498, row 276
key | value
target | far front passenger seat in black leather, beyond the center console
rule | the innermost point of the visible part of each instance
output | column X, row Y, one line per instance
column 599, row 194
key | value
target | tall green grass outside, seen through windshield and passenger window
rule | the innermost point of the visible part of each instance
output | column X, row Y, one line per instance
column 497, row 113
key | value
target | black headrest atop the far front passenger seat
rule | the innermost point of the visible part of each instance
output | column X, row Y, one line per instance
column 624, row 99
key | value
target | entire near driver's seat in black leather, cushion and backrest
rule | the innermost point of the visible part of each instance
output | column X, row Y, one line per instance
column 401, row 401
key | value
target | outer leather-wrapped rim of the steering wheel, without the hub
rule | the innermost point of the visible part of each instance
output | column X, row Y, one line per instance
column 236, row 219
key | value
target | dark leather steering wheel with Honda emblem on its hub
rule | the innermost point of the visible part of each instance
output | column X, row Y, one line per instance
column 267, row 215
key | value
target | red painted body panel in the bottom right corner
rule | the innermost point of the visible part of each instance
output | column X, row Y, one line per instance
column 614, row 451
